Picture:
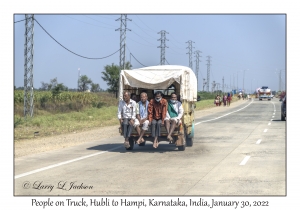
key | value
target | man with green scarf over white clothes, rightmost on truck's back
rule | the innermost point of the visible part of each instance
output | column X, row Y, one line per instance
column 174, row 114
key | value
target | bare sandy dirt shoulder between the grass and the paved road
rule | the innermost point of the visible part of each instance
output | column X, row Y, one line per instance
column 42, row 144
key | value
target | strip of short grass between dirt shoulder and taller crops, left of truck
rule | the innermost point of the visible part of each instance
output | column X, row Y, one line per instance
column 54, row 124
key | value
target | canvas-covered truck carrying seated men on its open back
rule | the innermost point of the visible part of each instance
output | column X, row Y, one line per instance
column 167, row 79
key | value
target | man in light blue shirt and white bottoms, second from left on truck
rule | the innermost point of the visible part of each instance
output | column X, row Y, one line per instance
column 142, row 116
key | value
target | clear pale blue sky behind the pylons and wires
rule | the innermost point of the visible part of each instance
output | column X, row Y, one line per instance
column 247, row 50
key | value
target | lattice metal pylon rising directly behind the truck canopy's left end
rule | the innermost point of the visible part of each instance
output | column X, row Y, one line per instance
column 123, row 28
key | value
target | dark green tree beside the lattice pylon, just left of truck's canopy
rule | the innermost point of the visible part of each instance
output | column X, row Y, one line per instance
column 111, row 76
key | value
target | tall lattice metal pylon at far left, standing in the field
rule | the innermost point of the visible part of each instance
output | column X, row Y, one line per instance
column 28, row 65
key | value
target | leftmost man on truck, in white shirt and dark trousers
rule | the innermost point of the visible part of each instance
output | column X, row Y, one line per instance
column 126, row 116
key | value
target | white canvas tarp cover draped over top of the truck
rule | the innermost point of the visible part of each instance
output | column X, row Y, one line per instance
column 161, row 77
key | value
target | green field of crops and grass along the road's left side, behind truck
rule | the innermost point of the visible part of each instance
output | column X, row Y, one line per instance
column 70, row 112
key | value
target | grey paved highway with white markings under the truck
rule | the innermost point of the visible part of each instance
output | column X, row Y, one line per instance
column 237, row 151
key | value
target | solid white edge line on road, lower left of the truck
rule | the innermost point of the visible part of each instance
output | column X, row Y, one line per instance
column 63, row 163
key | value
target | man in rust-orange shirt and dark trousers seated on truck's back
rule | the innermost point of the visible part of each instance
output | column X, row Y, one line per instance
column 157, row 111
